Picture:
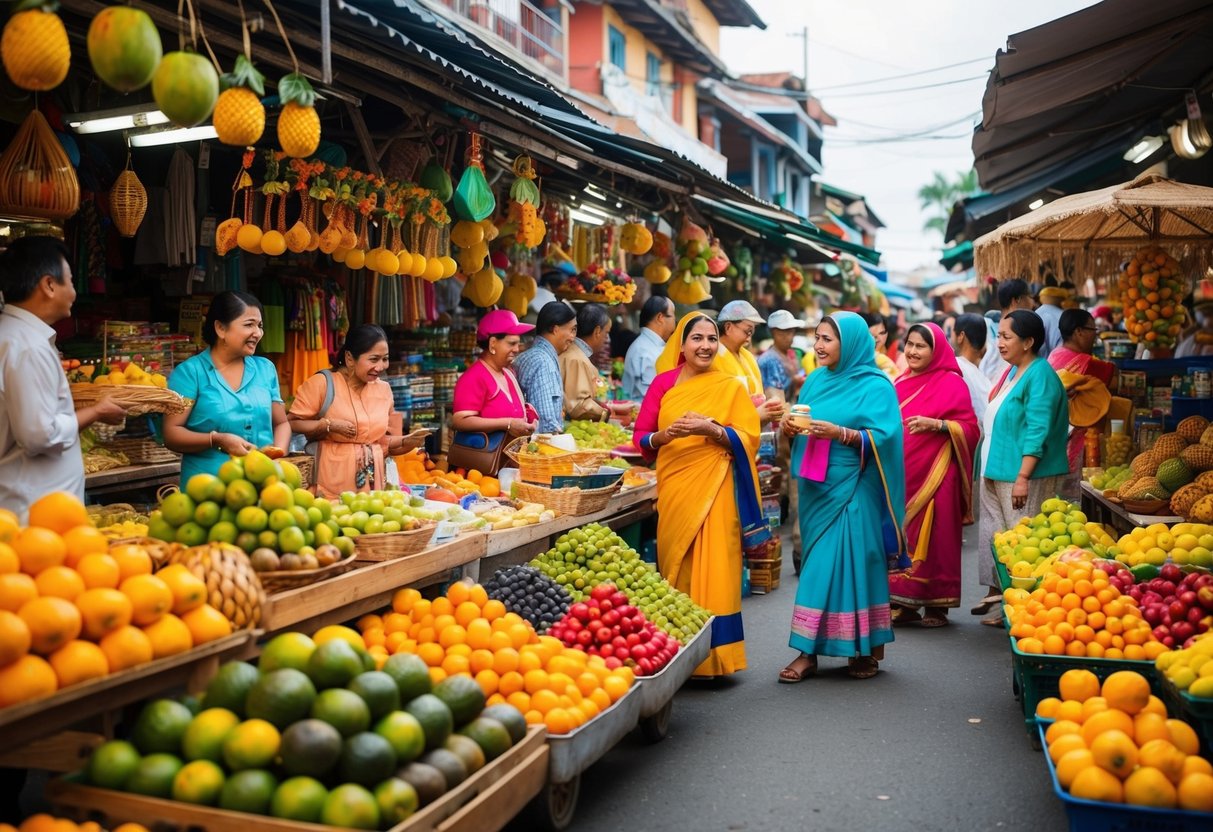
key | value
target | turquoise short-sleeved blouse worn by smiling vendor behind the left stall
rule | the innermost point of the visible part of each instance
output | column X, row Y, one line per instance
column 247, row 413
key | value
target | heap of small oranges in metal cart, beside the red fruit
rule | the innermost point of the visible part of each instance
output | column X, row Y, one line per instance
column 465, row 632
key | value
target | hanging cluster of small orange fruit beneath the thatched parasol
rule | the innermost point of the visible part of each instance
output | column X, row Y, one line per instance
column 1152, row 289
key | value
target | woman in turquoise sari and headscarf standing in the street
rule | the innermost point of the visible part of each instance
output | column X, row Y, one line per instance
column 851, row 494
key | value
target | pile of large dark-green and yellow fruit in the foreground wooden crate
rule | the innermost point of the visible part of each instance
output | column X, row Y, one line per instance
column 314, row 734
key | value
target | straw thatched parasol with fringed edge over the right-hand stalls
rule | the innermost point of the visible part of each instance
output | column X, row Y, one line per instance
column 1100, row 230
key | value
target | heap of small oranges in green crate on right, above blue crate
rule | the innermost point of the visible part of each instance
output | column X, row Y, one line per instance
column 1077, row 612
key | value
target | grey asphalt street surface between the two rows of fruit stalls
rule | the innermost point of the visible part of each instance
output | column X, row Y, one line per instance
column 936, row 742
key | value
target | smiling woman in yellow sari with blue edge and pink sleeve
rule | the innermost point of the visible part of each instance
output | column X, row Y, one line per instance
column 703, row 430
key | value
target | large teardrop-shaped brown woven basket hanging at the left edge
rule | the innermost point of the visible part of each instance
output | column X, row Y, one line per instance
column 37, row 178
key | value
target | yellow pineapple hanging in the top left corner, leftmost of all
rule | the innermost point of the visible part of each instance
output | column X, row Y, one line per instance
column 35, row 47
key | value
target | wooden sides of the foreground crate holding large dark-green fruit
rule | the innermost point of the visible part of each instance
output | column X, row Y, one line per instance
column 483, row 803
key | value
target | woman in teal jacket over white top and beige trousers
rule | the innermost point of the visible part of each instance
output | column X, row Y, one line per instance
column 1026, row 431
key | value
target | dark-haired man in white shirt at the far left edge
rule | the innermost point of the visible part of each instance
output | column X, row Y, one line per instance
column 39, row 426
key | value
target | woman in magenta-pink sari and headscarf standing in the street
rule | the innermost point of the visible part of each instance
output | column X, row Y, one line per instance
column 941, row 438
